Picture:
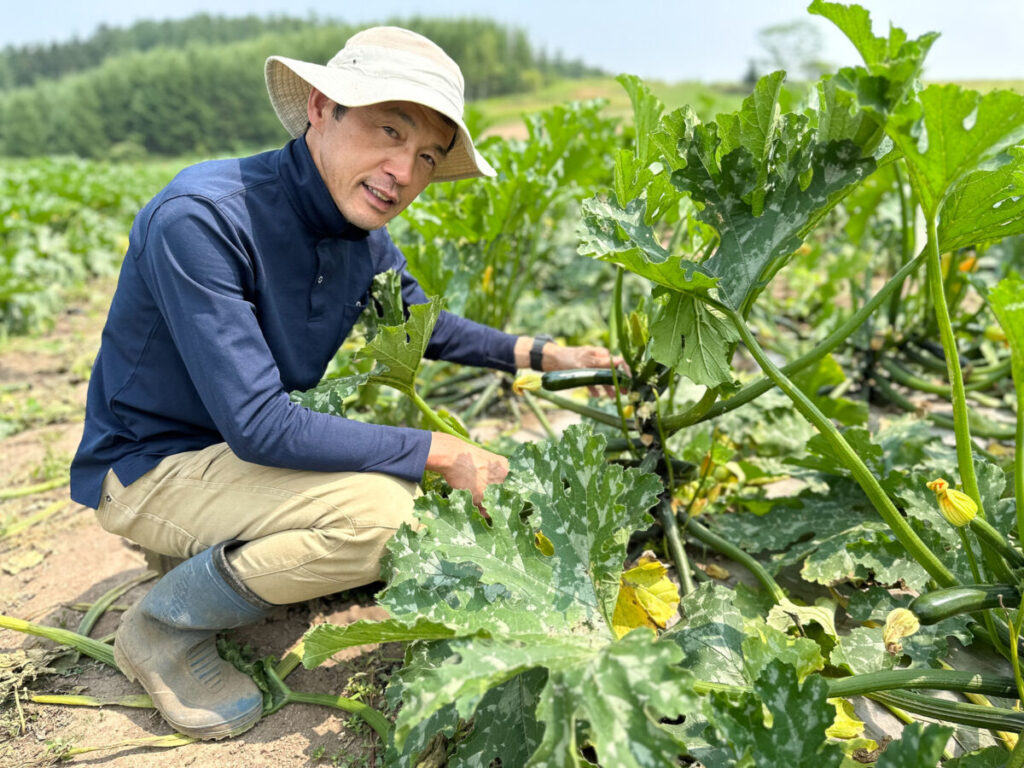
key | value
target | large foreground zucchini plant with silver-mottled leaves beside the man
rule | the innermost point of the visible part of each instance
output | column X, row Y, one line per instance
column 515, row 649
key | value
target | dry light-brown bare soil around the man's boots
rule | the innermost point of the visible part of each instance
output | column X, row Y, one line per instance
column 67, row 559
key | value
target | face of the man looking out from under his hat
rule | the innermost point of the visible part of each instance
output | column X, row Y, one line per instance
column 375, row 160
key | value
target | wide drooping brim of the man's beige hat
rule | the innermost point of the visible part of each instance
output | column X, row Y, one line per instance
column 289, row 82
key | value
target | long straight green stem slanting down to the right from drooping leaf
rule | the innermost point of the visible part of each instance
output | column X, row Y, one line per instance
column 901, row 528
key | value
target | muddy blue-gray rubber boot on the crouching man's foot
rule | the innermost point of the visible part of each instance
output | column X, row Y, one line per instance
column 167, row 643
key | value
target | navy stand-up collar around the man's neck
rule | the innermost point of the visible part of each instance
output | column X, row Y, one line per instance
column 310, row 196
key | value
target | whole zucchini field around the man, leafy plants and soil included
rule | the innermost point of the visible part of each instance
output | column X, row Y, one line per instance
column 786, row 533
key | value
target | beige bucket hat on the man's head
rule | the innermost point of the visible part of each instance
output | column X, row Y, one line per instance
column 382, row 64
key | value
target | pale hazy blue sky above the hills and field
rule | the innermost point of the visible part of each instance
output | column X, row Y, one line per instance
column 673, row 40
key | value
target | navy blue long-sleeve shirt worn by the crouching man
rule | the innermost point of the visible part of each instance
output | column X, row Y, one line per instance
column 241, row 282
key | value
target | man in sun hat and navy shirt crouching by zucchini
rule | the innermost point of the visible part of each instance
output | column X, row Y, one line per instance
column 242, row 280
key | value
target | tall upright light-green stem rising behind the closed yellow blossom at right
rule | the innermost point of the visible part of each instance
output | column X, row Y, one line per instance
column 965, row 453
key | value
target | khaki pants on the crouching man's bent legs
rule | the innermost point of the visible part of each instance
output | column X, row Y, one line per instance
column 307, row 534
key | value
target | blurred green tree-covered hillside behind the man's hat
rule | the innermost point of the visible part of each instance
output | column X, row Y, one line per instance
column 197, row 86
